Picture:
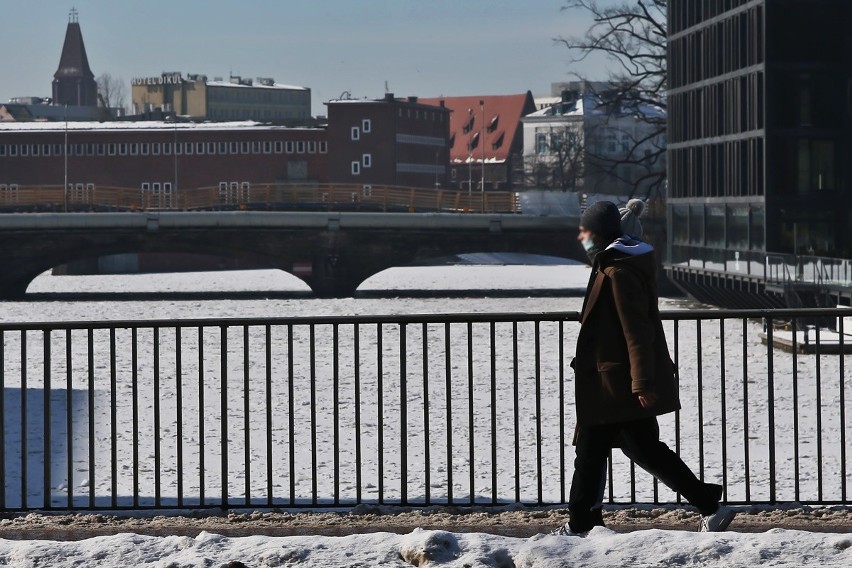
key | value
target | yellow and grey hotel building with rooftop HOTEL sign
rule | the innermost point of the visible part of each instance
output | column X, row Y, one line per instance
column 238, row 98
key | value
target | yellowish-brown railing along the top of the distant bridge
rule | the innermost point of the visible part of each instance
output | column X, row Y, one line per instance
column 243, row 195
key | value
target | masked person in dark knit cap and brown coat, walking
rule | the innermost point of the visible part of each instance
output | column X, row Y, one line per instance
column 625, row 377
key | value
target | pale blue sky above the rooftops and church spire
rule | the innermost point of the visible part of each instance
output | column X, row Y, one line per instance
column 420, row 47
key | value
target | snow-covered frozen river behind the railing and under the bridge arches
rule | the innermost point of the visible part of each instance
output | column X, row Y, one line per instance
column 306, row 422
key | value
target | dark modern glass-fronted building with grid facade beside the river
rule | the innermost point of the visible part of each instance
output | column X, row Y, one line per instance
column 759, row 132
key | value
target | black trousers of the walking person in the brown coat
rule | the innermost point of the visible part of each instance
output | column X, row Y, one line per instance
column 640, row 441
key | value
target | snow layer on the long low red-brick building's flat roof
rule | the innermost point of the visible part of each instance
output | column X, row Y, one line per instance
column 141, row 125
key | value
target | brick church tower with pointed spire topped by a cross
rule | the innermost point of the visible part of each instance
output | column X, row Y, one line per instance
column 74, row 83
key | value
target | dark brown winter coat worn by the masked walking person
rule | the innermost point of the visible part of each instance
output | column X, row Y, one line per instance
column 621, row 347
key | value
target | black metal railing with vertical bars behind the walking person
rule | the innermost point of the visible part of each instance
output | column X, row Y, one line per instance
column 416, row 410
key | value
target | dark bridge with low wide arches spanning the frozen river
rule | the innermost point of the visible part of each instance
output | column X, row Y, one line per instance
column 332, row 252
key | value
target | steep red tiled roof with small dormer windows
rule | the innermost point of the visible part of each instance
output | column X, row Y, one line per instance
column 493, row 126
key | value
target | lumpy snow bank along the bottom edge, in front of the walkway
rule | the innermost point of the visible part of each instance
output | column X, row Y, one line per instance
column 601, row 547
